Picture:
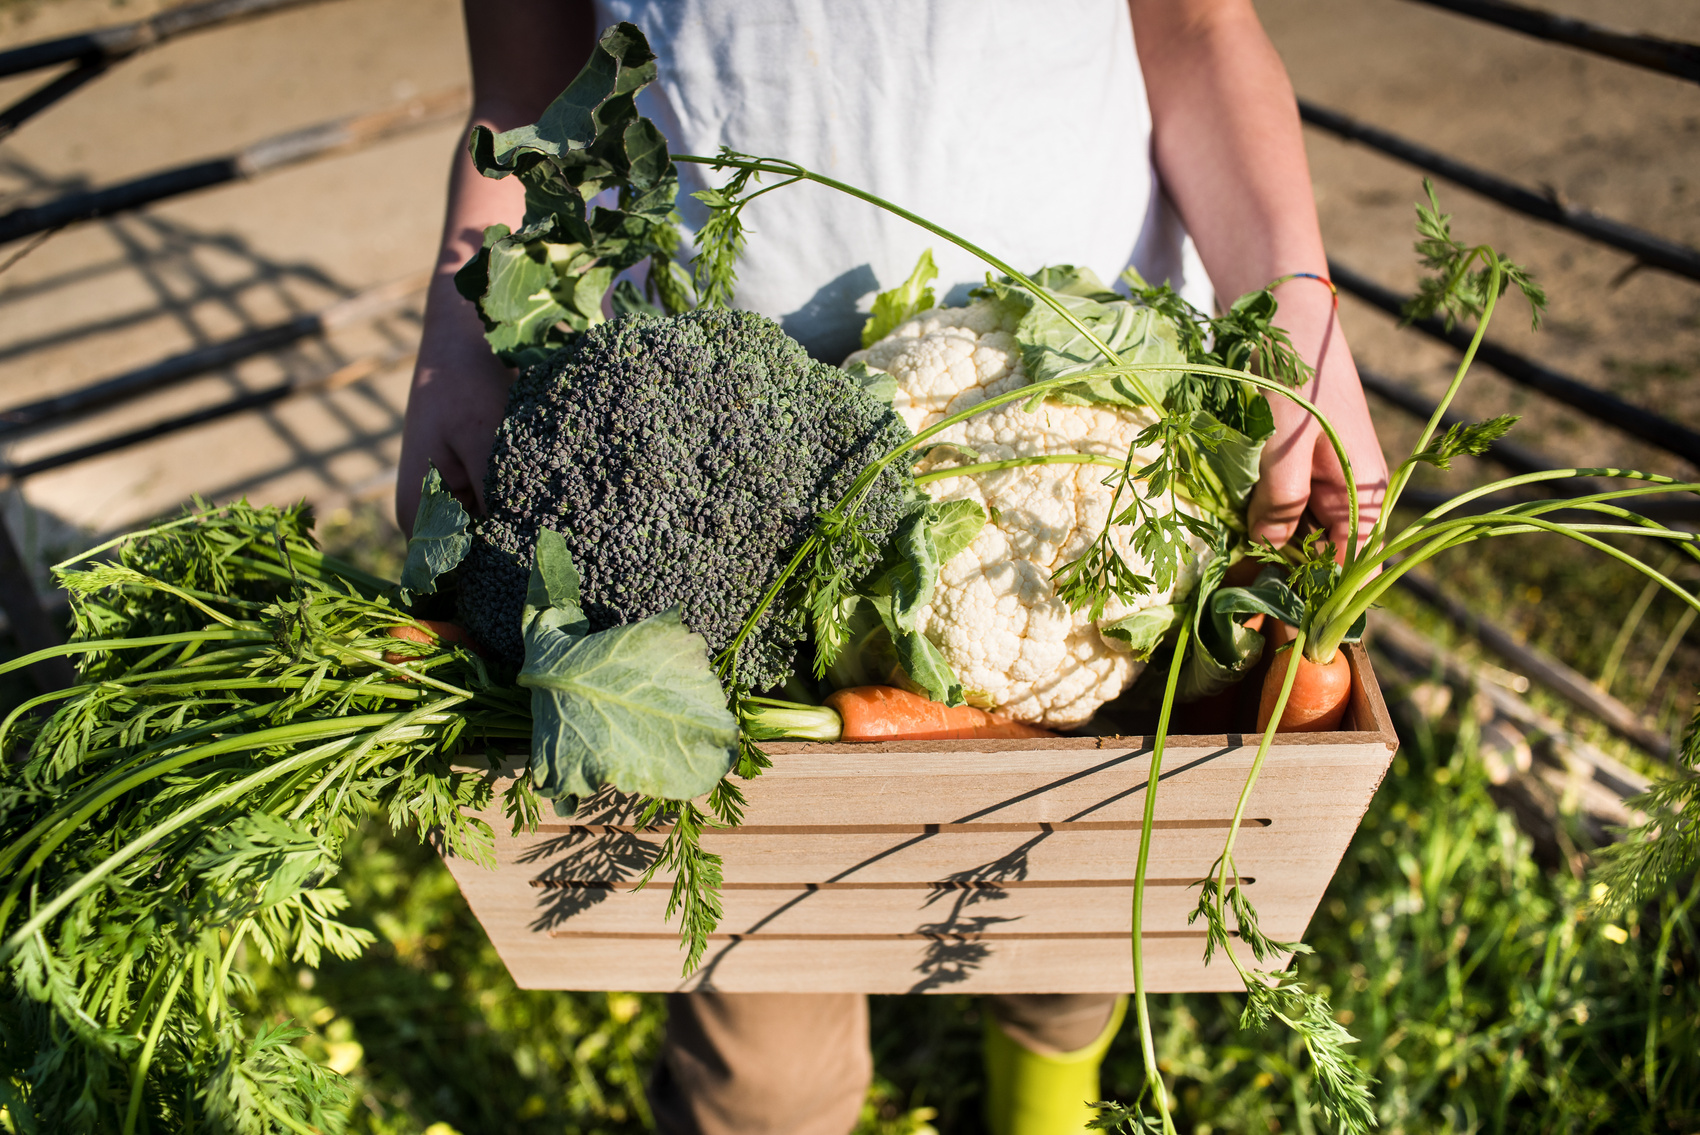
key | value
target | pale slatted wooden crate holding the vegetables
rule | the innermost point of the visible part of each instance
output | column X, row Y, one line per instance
column 946, row 866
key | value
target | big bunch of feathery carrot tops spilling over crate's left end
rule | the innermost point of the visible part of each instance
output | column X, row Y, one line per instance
column 190, row 799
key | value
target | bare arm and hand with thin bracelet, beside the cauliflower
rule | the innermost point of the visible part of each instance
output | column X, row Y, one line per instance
column 1232, row 157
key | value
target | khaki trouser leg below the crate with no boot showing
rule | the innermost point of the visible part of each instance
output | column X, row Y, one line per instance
column 762, row 1064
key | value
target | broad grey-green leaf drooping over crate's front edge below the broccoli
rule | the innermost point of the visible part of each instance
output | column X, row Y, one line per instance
column 637, row 708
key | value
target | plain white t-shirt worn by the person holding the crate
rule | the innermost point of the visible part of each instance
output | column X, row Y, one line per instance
column 1023, row 127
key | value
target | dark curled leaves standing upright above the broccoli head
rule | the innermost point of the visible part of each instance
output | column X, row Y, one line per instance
column 536, row 288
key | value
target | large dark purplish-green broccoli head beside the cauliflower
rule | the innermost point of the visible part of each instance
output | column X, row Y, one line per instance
column 684, row 460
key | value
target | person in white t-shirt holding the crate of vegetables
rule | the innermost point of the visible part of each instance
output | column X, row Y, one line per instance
column 1159, row 133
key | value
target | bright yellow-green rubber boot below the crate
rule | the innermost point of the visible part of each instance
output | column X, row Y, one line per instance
column 1029, row 1093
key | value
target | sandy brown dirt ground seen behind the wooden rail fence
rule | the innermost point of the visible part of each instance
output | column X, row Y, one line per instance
column 108, row 296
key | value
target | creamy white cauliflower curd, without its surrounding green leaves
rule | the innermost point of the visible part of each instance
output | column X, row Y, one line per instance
column 995, row 613
